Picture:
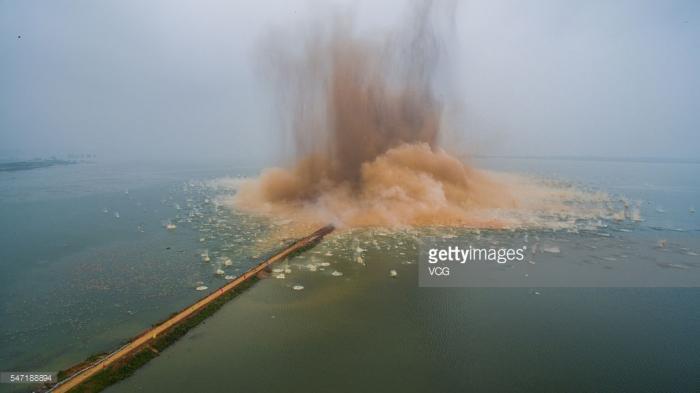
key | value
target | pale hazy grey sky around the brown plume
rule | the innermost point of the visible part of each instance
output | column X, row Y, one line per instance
column 154, row 79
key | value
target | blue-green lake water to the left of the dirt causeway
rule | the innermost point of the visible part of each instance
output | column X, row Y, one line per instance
column 87, row 262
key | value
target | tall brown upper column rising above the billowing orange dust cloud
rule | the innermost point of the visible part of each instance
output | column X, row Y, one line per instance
column 354, row 97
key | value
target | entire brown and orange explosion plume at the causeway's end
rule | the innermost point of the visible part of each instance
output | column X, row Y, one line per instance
column 365, row 120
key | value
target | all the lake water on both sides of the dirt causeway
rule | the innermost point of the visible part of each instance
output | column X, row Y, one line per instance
column 80, row 280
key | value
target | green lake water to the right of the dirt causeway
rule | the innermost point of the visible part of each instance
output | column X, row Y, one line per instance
column 366, row 331
